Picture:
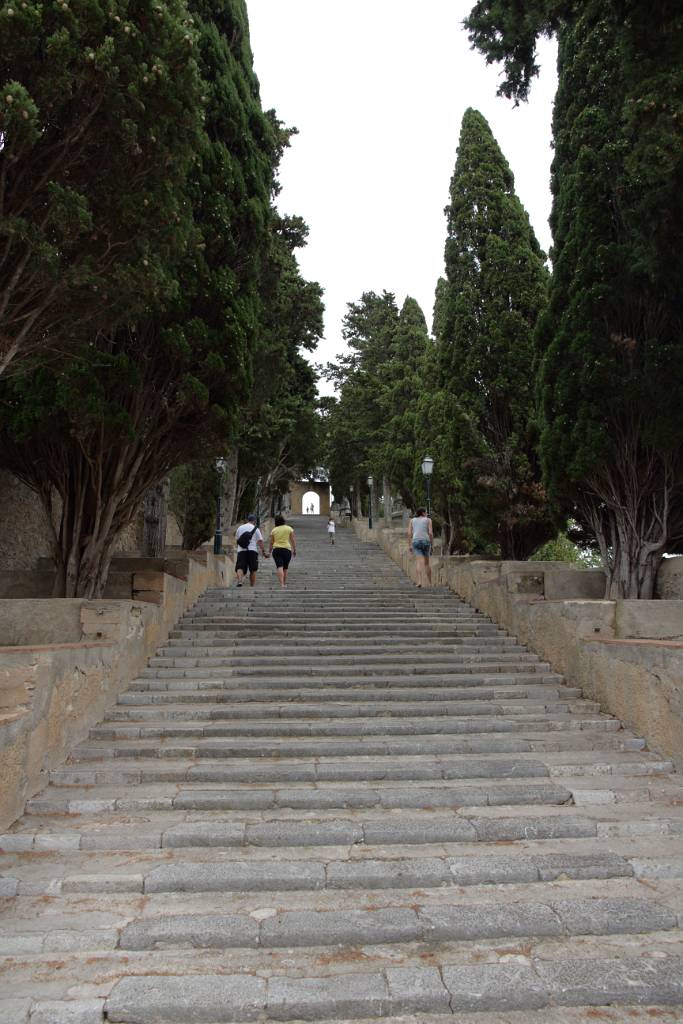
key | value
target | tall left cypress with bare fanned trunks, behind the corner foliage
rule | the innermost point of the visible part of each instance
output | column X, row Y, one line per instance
column 156, row 393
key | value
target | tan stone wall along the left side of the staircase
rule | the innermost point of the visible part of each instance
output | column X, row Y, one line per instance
column 67, row 661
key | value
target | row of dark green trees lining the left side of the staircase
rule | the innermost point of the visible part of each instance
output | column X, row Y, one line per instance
column 152, row 312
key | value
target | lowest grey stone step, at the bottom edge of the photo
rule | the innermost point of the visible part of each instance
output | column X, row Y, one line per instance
column 453, row 990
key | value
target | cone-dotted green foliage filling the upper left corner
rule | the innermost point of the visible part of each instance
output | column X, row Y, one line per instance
column 101, row 116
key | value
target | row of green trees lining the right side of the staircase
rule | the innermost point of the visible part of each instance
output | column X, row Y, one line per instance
column 546, row 396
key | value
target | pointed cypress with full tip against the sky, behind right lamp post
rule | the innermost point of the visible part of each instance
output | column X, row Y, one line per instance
column 496, row 290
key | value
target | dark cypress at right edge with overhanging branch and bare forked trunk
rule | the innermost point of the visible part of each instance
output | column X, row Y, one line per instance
column 612, row 344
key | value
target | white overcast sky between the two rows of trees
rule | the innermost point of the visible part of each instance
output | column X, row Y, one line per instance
column 377, row 90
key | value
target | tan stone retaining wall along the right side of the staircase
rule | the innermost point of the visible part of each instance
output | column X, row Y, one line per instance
column 627, row 655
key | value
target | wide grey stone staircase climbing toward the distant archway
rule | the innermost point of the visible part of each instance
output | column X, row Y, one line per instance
column 351, row 800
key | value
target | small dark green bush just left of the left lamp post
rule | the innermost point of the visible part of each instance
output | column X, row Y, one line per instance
column 193, row 501
